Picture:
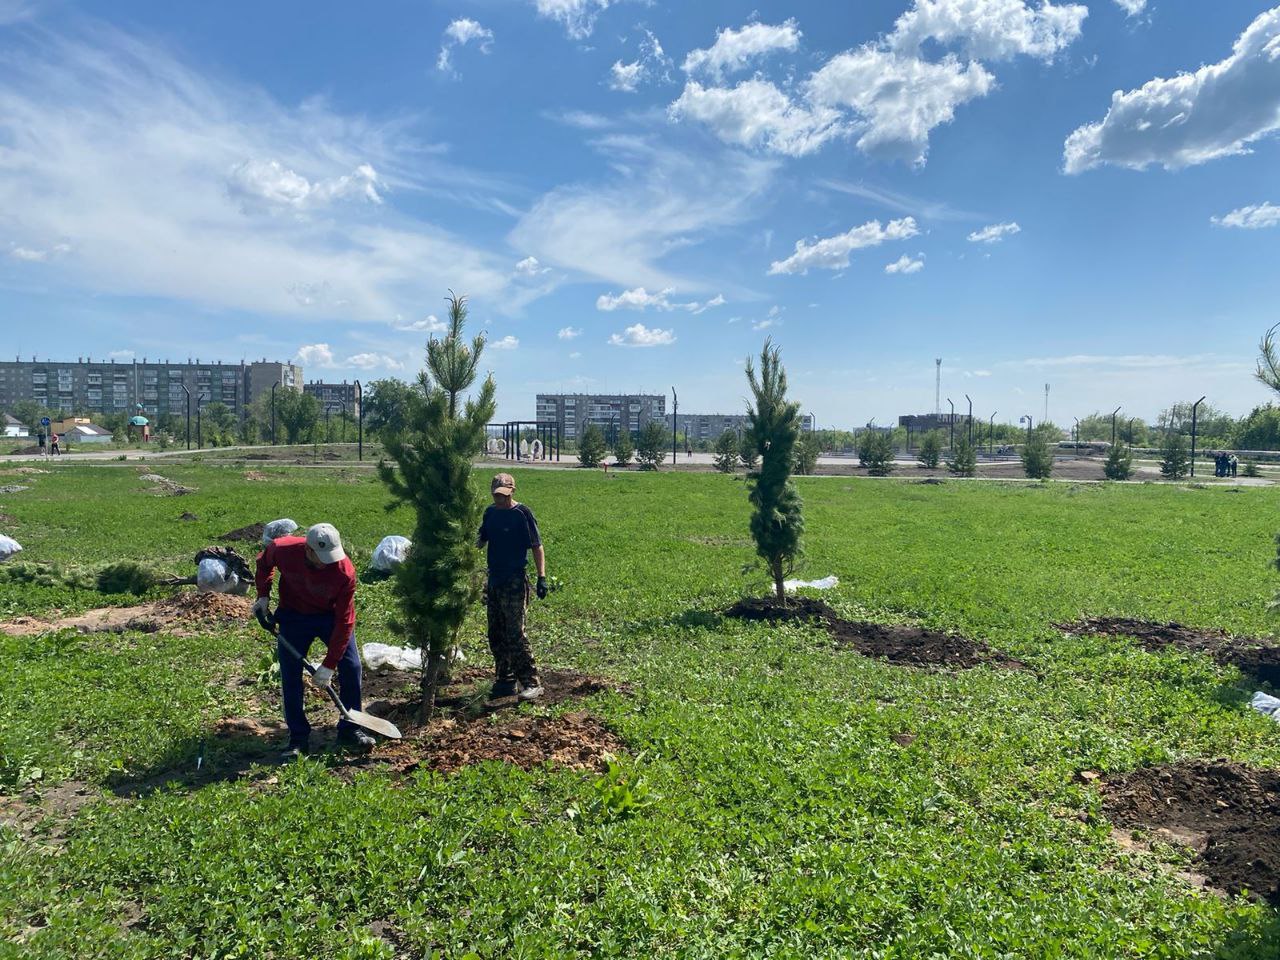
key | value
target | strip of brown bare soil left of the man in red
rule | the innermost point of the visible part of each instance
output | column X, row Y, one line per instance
column 173, row 615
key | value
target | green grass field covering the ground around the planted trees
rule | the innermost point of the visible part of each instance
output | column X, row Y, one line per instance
column 784, row 819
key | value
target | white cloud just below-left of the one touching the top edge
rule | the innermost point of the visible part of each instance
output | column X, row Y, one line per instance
column 897, row 99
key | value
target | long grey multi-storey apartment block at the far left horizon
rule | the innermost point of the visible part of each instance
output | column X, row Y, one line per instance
column 156, row 387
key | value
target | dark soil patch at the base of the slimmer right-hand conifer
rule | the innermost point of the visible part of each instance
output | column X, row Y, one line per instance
column 906, row 646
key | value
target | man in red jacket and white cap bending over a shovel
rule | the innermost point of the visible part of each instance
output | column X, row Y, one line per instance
column 318, row 601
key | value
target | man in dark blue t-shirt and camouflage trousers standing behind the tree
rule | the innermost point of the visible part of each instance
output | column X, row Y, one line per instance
column 510, row 532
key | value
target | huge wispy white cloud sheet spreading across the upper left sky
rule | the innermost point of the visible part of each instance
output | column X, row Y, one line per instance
column 173, row 186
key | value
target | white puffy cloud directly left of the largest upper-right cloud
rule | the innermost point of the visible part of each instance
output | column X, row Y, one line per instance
column 757, row 115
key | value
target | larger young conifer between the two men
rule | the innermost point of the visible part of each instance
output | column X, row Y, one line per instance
column 432, row 473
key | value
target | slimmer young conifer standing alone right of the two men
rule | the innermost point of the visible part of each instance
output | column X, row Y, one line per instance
column 778, row 519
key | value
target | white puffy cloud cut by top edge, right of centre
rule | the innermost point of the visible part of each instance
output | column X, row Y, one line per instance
column 990, row 30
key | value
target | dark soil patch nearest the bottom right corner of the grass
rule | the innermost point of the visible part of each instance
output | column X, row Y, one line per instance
column 1228, row 813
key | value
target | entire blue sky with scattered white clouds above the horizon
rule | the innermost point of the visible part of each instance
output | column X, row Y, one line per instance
column 636, row 195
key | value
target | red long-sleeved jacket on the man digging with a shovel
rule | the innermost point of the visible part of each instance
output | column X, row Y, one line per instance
column 312, row 591
